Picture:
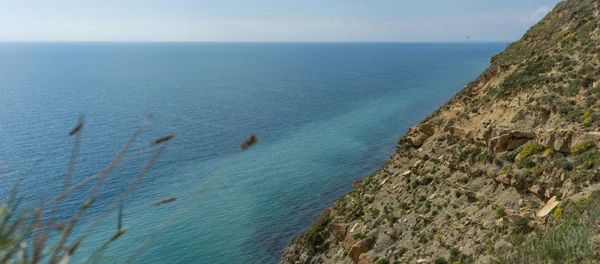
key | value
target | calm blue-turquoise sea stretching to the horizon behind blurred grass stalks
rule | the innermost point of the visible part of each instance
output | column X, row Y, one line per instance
column 326, row 114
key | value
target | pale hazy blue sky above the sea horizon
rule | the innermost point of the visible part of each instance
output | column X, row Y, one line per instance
column 269, row 20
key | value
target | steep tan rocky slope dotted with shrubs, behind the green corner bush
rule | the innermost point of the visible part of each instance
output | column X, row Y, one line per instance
column 497, row 160
